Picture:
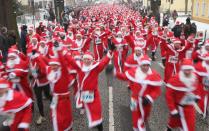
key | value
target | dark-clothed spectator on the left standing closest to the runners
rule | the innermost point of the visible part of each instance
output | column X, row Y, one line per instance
column 23, row 38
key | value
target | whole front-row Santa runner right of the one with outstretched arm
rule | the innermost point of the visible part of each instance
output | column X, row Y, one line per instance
column 182, row 93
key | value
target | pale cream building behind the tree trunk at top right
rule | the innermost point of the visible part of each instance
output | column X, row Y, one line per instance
column 178, row 5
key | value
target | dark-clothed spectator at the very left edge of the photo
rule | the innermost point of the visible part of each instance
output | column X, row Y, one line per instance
column 3, row 43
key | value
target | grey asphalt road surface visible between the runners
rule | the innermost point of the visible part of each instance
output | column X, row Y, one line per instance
column 121, row 110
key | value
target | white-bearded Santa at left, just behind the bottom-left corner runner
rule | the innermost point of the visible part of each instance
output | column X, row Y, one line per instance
column 17, row 71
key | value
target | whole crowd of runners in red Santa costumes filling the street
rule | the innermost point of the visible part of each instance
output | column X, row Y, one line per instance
column 56, row 60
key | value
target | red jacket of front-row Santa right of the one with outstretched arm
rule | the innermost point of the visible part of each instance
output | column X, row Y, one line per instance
column 178, row 93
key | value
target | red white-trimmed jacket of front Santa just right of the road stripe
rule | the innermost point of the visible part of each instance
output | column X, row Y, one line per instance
column 147, row 86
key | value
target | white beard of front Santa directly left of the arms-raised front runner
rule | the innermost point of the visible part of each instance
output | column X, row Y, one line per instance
column 54, row 76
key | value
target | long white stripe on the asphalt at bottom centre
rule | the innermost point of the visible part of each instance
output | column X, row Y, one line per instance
column 111, row 117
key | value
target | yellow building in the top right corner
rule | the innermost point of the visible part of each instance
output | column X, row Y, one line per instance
column 200, row 10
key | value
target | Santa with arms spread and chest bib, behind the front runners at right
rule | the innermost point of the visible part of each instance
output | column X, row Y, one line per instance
column 174, row 54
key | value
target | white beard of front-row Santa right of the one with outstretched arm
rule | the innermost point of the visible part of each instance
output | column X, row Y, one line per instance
column 189, row 82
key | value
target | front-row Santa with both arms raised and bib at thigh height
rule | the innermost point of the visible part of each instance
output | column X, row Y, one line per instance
column 88, row 72
